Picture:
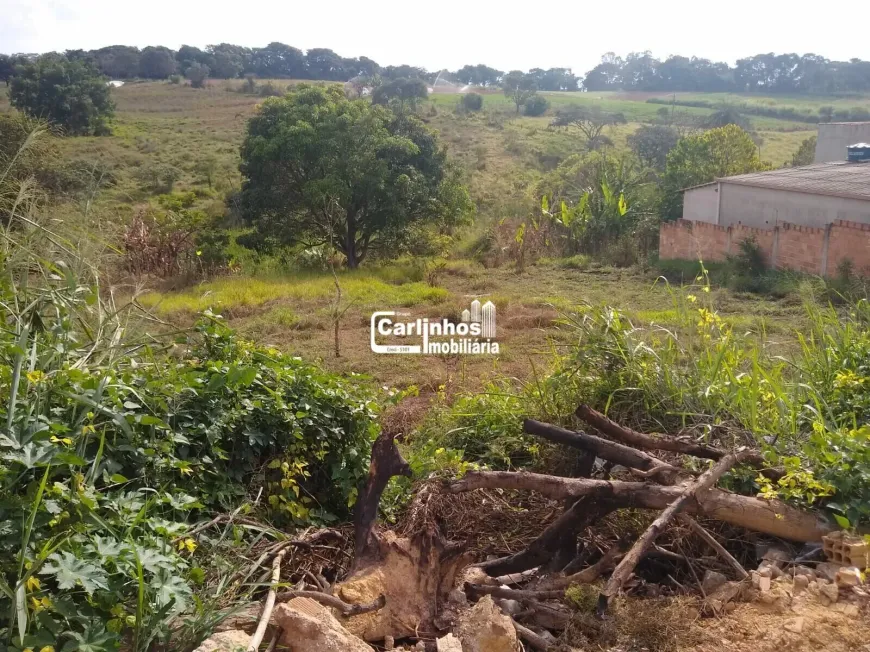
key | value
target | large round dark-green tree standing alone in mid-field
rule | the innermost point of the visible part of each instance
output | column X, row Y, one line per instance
column 322, row 169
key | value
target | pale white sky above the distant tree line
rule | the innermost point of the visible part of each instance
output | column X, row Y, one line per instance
column 450, row 33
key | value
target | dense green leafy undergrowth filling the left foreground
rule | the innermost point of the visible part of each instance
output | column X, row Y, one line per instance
column 111, row 450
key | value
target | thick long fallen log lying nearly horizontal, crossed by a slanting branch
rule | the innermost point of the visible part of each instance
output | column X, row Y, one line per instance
column 771, row 517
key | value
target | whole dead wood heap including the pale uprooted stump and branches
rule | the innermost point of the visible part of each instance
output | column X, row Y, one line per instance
column 416, row 583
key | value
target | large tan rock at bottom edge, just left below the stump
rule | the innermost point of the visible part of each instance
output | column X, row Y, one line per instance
column 307, row 626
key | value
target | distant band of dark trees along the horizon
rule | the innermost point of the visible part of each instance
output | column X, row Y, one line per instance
column 637, row 71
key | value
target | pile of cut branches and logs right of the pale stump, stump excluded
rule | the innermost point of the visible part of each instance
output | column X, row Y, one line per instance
column 538, row 575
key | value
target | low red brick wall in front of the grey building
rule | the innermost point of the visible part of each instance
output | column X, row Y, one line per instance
column 788, row 246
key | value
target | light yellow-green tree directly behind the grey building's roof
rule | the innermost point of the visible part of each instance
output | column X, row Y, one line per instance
column 702, row 158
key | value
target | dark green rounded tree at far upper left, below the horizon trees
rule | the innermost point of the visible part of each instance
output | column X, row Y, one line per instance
column 71, row 94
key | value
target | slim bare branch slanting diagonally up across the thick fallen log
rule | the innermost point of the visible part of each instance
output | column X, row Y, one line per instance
column 629, row 562
